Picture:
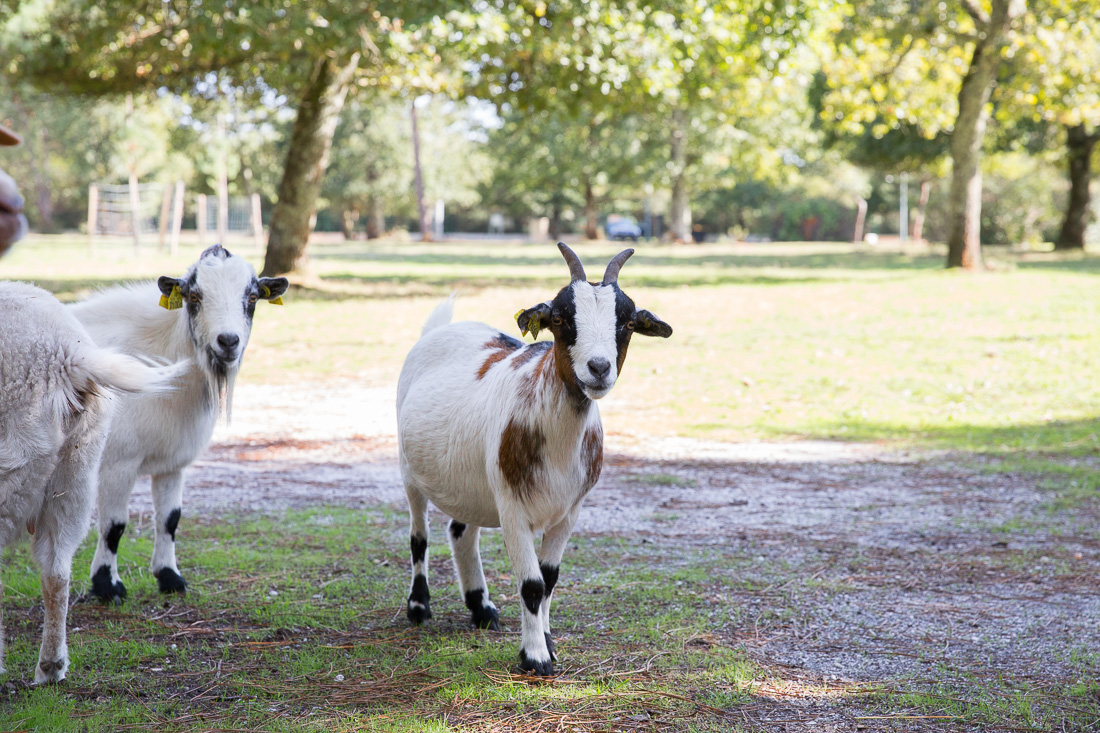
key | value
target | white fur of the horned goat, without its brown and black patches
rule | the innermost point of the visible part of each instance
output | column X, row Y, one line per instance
column 450, row 425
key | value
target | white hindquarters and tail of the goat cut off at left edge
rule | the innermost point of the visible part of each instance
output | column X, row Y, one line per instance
column 56, row 411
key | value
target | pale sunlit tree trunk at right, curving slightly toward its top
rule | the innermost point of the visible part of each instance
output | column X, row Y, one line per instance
column 964, row 240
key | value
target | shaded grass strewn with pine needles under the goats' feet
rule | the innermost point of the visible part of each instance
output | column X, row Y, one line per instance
column 298, row 625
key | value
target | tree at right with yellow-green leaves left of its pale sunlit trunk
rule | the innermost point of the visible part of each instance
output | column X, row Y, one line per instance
column 932, row 67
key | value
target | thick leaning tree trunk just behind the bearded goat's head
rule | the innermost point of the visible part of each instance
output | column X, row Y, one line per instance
column 306, row 160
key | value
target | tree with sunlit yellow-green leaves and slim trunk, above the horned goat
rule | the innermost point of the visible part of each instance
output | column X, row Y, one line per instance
column 697, row 70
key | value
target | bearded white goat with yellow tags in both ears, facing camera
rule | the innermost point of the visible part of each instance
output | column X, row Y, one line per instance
column 206, row 316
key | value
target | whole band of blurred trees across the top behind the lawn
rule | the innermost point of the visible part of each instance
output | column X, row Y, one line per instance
column 749, row 118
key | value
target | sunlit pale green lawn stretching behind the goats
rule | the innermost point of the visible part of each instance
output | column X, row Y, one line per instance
column 772, row 342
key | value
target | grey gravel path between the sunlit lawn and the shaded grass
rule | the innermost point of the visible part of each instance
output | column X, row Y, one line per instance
column 860, row 565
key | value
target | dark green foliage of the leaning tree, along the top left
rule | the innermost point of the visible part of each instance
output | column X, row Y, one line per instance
column 82, row 46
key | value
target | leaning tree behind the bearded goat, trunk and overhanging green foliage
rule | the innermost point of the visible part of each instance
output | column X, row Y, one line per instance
column 315, row 53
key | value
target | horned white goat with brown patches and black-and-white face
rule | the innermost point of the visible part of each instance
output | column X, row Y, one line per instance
column 498, row 434
